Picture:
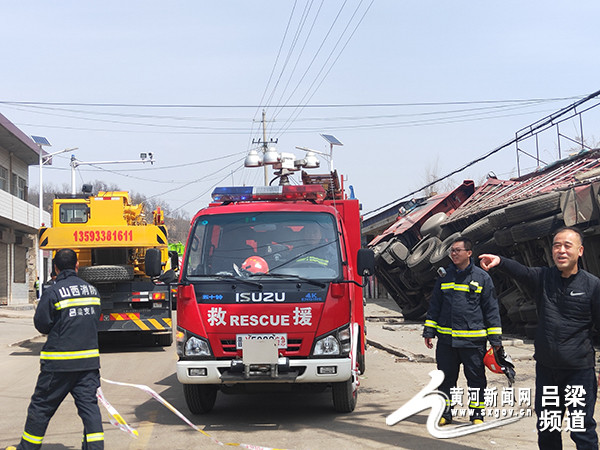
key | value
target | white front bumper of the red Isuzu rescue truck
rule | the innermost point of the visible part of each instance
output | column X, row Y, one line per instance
column 285, row 371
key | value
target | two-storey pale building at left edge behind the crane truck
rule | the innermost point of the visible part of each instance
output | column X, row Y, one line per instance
column 19, row 220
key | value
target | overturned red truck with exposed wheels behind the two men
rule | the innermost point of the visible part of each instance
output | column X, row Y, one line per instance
column 514, row 218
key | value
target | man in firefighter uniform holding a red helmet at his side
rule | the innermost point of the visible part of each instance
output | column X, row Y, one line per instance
column 463, row 314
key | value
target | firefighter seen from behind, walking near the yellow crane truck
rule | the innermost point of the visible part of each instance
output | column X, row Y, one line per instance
column 68, row 313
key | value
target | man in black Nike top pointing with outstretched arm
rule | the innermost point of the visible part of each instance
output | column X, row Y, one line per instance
column 568, row 307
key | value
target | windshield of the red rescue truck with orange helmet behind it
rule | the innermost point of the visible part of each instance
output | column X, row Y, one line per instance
column 301, row 244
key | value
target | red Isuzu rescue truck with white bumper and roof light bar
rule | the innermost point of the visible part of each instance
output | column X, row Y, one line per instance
column 270, row 293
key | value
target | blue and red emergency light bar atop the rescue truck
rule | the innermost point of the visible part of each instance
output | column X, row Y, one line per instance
column 258, row 193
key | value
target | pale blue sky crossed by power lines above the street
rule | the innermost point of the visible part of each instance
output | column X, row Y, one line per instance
column 410, row 88
